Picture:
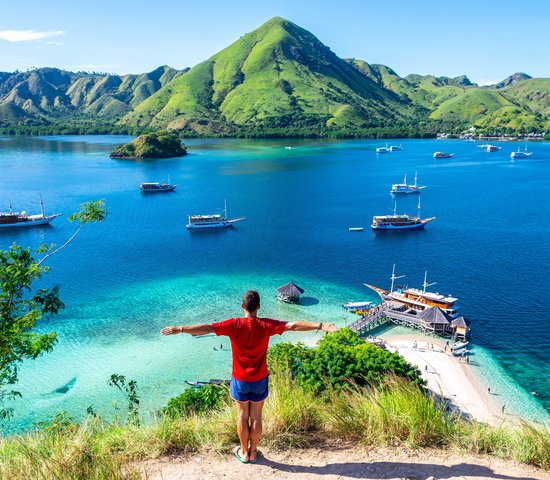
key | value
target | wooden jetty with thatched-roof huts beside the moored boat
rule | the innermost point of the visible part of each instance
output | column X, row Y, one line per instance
column 432, row 321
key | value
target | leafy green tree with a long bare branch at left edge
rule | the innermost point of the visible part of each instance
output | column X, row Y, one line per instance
column 22, row 305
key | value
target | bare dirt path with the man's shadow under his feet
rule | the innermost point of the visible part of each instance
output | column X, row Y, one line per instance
column 332, row 463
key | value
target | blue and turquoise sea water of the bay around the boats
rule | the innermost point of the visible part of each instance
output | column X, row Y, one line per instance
column 140, row 270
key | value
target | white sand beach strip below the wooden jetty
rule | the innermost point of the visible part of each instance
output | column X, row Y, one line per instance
column 448, row 376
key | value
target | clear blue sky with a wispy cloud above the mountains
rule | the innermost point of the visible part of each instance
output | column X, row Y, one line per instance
column 487, row 41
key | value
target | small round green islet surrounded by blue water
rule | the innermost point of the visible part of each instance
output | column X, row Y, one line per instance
column 162, row 144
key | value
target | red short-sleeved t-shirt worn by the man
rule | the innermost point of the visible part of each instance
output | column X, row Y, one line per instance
column 249, row 340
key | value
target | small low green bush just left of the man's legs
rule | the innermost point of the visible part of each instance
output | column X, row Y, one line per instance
column 197, row 401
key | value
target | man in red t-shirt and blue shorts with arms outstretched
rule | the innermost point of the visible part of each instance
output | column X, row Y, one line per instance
column 249, row 336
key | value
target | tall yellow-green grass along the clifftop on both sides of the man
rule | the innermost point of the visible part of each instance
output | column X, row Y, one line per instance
column 396, row 414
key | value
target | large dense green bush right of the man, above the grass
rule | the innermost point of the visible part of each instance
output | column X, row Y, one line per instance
column 342, row 359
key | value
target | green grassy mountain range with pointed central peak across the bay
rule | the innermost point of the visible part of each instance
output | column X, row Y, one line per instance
column 276, row 80
